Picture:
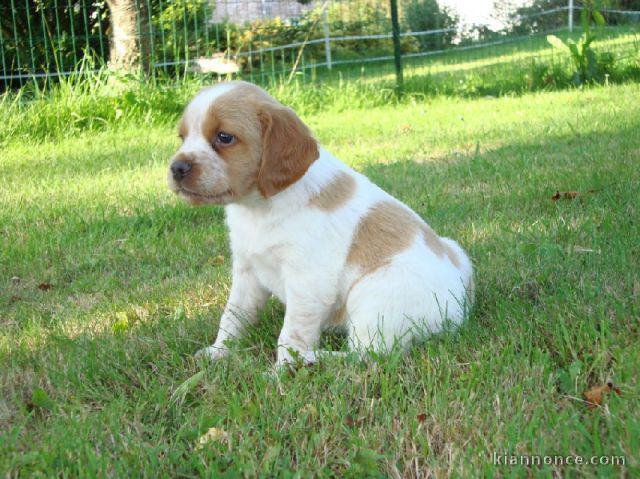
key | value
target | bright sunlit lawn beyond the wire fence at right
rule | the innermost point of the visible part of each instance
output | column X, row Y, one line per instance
column 499, row 65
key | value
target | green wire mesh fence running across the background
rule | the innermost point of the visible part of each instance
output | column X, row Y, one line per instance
column 275, row 41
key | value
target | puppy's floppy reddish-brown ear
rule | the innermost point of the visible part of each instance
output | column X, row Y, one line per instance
column 288, row 149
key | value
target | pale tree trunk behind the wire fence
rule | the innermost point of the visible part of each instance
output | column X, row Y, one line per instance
column 129, row 37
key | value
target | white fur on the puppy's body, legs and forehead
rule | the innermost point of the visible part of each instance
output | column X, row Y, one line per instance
column 284, row 246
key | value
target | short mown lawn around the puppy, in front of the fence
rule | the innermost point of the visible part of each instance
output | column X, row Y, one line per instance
column 109, row 284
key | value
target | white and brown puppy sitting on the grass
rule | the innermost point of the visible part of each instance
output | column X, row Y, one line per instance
column 331, row 245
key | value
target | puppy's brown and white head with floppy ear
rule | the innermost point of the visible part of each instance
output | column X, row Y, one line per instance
column 236, row 139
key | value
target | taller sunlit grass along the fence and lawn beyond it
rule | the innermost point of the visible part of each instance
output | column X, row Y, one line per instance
column 97, row 101
